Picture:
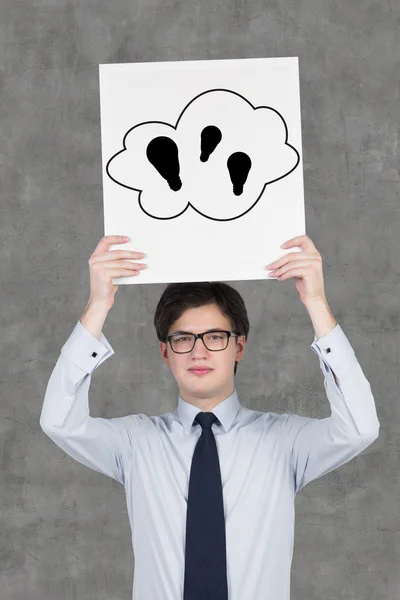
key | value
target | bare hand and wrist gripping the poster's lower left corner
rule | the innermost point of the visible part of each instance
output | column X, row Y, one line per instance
column 105, row 264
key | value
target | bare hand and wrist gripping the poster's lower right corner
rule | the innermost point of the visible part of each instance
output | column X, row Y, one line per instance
column 306, row 268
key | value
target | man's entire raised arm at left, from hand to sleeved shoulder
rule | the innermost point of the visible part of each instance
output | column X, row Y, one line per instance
column 101, row 444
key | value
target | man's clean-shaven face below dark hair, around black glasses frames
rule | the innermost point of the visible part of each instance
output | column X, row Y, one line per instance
column 220, row 378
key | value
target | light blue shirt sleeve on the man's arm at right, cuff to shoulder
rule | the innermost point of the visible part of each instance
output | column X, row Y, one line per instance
column 320, row 445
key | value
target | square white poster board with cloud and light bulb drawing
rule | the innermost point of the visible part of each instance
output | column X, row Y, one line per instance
column 202, row 165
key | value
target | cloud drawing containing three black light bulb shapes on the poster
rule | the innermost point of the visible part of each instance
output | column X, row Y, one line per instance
column 217, row 159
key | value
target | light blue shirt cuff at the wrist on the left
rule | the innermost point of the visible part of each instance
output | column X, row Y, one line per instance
column 84, row 350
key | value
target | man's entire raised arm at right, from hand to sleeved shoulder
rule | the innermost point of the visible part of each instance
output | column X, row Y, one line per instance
column 318, row 446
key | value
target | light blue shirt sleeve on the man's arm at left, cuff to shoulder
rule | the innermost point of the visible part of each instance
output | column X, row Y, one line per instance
column 103, row 445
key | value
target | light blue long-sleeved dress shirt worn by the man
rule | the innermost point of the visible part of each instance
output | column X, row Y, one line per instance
column 265, row 459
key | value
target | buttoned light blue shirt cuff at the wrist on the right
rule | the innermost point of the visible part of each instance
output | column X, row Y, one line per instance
column 334, row 348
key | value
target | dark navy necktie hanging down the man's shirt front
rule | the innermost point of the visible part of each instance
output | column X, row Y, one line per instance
column 205, row 547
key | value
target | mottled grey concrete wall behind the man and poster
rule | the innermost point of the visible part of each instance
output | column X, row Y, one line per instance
column 64, row 531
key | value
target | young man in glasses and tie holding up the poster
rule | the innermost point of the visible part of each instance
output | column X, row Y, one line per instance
column 210, row 486
